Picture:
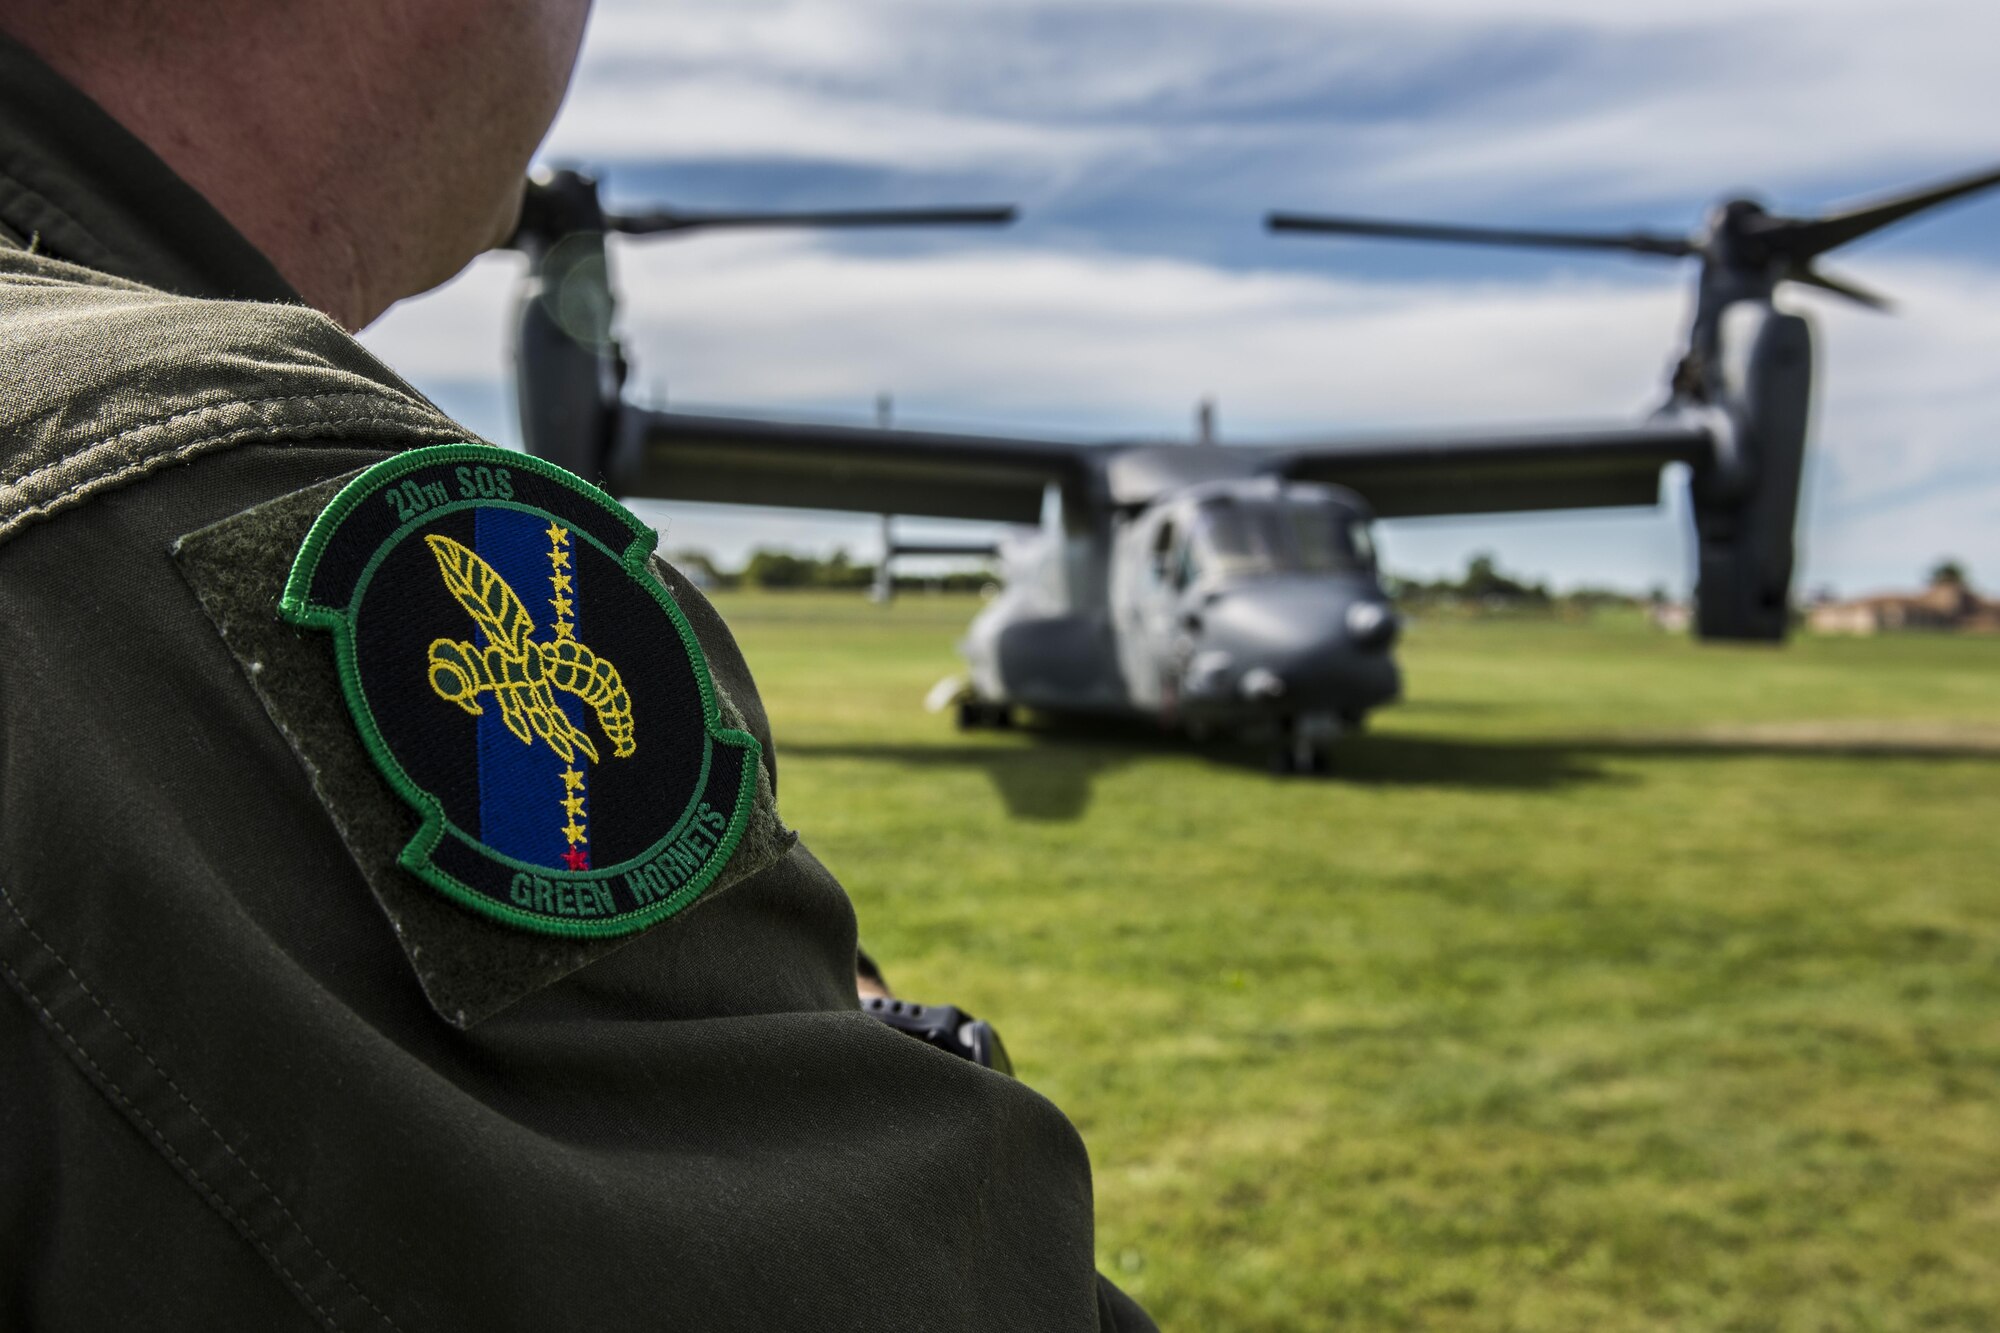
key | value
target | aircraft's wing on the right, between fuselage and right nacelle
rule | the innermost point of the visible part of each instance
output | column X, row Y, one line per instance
column 1483, row 475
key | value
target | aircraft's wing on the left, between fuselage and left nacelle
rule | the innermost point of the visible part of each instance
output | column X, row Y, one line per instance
column 877, row 471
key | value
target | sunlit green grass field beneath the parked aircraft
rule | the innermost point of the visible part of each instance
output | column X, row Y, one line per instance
column 1611, row 982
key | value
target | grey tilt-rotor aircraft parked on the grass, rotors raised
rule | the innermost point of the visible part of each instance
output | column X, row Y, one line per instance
column 1225, row 589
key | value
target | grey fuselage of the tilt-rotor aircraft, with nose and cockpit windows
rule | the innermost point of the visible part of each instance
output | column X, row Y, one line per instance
column 1233, row 607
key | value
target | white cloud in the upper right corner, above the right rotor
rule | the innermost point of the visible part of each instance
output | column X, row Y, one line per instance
column 1755, row 101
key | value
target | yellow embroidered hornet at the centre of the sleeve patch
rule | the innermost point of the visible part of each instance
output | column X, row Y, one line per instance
column 523, row 674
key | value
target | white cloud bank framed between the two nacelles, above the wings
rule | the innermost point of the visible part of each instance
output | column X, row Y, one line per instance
column 1129, row 341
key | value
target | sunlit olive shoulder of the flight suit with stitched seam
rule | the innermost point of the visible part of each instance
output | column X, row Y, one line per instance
column 105, row 381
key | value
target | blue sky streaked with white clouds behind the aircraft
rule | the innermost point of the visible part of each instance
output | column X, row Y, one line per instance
column 1145, row 141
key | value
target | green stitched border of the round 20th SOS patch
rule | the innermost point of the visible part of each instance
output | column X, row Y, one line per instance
column 297, row 607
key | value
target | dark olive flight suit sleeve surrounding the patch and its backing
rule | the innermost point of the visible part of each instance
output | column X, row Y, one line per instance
column 697, row 1128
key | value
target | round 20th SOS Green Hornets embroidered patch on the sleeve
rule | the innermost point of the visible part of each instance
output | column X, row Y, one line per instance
column 529, row 688
